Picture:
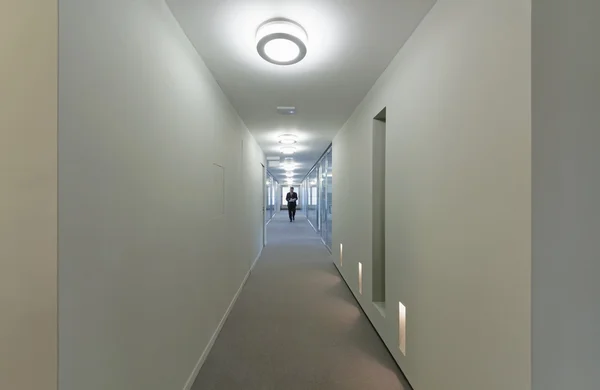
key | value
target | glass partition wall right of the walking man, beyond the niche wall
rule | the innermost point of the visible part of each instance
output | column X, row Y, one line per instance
column 317, row 190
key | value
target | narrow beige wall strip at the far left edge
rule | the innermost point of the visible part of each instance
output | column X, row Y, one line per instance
column 28, row 268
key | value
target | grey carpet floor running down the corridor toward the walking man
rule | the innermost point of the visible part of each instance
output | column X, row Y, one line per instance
column 296, row 326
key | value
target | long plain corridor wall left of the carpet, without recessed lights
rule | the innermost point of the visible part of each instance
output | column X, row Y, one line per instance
column 148, row 261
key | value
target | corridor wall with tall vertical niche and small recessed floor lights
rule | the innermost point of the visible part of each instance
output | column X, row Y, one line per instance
column 458, row 197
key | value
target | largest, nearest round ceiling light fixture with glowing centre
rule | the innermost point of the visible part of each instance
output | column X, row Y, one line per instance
column 281, row 42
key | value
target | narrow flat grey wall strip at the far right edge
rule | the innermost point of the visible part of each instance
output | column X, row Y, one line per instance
column 566, row 195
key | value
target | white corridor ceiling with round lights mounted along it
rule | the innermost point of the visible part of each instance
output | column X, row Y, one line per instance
column 350, row 43
